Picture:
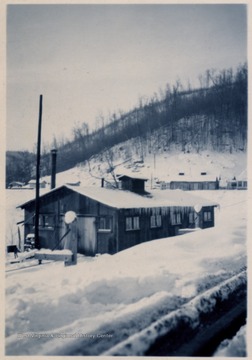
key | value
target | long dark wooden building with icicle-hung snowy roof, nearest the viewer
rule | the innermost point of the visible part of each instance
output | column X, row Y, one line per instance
column 109, row 221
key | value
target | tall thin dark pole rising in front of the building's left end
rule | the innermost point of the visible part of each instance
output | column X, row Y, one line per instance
column 37, row 243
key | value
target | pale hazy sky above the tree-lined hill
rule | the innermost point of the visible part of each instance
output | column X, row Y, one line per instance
column 88, row 60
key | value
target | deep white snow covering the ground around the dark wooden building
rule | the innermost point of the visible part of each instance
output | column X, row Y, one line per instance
column 56, row 310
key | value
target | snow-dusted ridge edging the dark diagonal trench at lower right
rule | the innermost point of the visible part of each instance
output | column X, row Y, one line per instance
column 189, row 314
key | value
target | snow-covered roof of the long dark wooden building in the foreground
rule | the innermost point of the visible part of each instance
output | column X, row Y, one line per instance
column 122, row 199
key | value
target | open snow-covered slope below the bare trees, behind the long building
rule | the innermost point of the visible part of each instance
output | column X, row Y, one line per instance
column 161, row 166
